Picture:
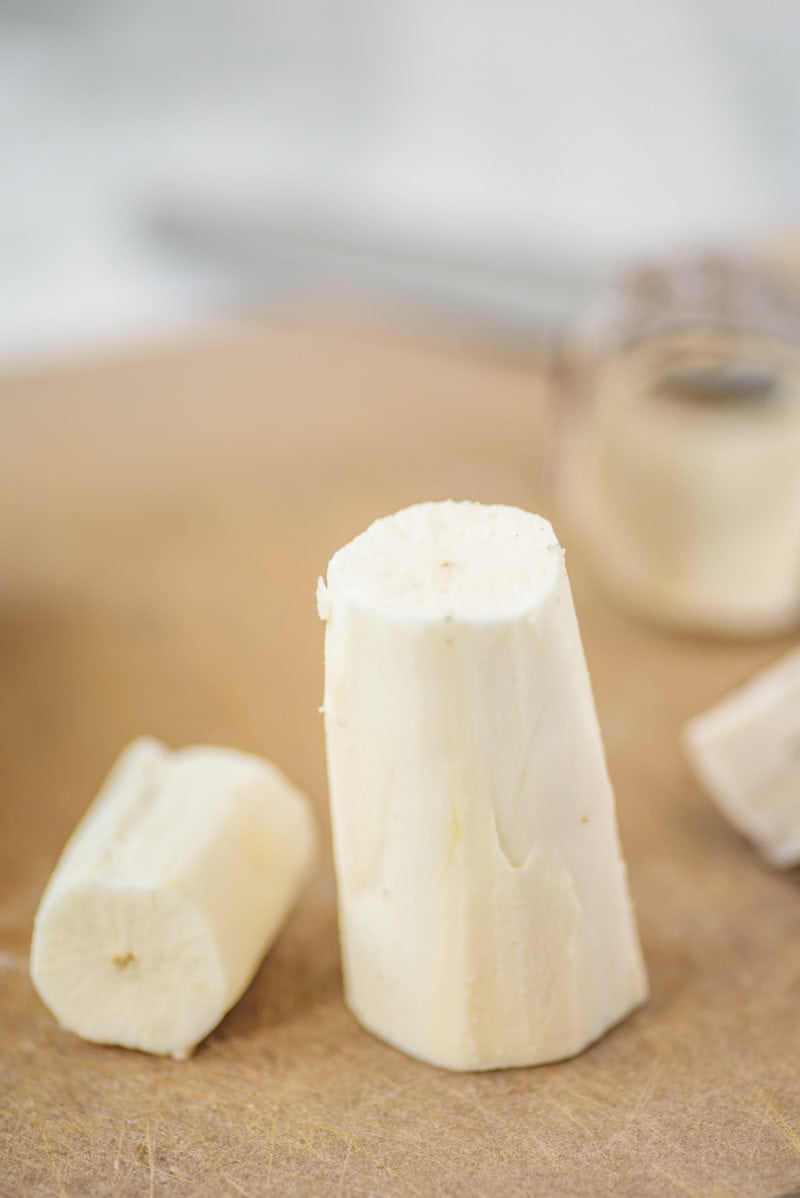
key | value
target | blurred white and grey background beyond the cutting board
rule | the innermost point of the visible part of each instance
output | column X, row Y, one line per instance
column 480, row 162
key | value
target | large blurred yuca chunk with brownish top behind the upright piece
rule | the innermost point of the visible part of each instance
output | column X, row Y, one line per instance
column 682, row 464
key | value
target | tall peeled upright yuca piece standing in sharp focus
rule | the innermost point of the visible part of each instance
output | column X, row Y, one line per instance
column 484, row 913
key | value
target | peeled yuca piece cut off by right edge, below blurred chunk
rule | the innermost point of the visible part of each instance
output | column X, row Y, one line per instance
column 747, row 754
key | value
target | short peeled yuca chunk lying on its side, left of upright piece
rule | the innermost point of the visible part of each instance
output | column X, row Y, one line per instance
column 169, row 894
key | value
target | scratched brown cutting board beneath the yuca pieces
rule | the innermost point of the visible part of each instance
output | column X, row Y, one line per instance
column 165, row 522
